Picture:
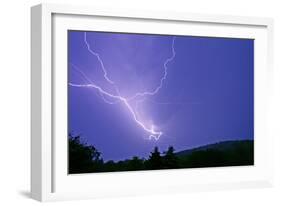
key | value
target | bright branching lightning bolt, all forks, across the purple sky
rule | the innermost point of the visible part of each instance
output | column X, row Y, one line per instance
column 153, row 134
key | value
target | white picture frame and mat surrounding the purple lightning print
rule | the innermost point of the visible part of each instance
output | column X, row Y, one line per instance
column 49, row 178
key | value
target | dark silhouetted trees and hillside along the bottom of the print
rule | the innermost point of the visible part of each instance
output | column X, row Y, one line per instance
column 85, row 158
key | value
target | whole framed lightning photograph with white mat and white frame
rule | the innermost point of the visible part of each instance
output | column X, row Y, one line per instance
column 136, row 102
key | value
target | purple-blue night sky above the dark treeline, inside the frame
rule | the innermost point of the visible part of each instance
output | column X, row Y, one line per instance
column 206, row 97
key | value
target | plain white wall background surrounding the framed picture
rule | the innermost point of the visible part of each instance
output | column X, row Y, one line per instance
column 15, row 102
